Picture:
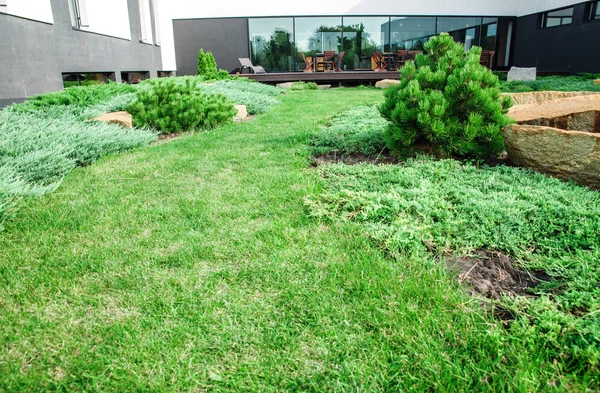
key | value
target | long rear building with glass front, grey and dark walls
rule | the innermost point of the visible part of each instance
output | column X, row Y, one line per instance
column 556, row 36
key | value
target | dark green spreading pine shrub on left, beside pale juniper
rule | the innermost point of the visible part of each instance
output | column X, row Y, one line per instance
column 170, row 106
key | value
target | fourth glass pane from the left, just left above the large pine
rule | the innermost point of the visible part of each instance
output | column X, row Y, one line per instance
column 411, row 33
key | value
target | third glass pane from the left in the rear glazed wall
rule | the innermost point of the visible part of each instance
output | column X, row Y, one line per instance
column 363, row 36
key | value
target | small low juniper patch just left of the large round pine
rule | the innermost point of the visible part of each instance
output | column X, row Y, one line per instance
column 360, row 130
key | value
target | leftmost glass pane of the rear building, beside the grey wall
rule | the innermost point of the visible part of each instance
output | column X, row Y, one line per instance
column 272, row 43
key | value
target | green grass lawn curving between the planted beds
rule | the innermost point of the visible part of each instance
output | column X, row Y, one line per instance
column 193, row 265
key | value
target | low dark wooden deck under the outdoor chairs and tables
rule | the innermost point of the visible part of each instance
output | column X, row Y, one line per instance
column 339, row 78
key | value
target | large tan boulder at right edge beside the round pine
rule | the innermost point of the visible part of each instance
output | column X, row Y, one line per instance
column 565, row 154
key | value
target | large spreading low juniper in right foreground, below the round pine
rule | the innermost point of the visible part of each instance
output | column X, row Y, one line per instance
column 443, row 206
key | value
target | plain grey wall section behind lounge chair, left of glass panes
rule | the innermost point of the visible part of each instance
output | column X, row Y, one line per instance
column 226, row 38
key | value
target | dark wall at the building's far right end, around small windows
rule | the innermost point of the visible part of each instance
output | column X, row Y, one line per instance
column 571, row 48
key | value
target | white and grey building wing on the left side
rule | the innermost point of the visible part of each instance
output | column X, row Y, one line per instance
column 48, row 44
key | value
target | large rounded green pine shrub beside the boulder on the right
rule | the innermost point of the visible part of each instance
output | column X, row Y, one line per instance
column 447, row 100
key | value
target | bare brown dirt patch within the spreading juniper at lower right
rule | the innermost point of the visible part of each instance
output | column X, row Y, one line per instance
column 493, row 275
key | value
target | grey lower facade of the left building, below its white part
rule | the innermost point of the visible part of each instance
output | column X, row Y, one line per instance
column 34, row 55
